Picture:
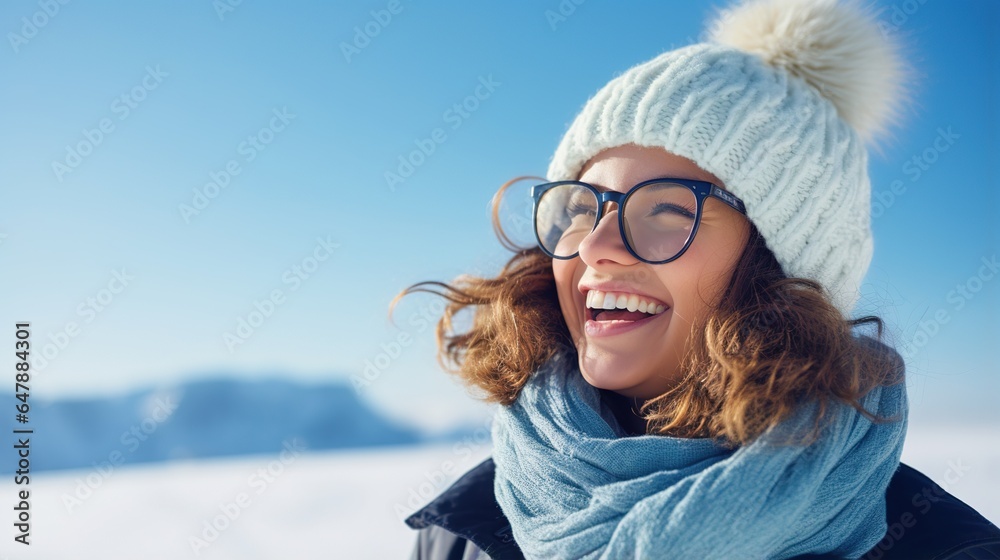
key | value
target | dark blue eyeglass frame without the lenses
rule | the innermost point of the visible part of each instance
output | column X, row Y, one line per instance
column 701, row 190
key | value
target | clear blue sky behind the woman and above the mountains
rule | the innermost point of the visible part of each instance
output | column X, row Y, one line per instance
column 278, row 139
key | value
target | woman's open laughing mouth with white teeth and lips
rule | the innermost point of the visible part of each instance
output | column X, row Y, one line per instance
column 609, row 313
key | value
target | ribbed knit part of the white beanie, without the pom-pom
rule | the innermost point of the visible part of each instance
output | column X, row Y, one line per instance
column 771, row 139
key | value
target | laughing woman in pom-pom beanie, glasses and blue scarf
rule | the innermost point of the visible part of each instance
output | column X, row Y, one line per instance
column 676, row 373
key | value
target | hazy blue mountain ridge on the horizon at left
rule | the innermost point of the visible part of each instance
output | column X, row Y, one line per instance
column 212, row 418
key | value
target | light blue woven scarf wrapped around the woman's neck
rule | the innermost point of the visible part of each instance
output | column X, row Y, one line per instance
column 572, row 486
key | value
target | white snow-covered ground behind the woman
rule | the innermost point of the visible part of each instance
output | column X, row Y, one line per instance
column 329, row 505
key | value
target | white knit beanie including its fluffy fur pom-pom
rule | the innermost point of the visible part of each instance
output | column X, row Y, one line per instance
column 779, row 107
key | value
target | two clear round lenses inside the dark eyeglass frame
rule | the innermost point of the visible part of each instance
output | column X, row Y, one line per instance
column 658, row 219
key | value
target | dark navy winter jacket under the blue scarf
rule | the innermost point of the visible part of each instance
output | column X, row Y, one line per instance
column 925, row 523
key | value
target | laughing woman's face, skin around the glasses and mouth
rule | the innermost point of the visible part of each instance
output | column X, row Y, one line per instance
column 642, row 358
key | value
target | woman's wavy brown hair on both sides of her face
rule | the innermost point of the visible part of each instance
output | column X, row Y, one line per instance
column 771, row 343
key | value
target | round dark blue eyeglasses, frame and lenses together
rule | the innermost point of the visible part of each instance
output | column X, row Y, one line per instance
column 657, row 218
